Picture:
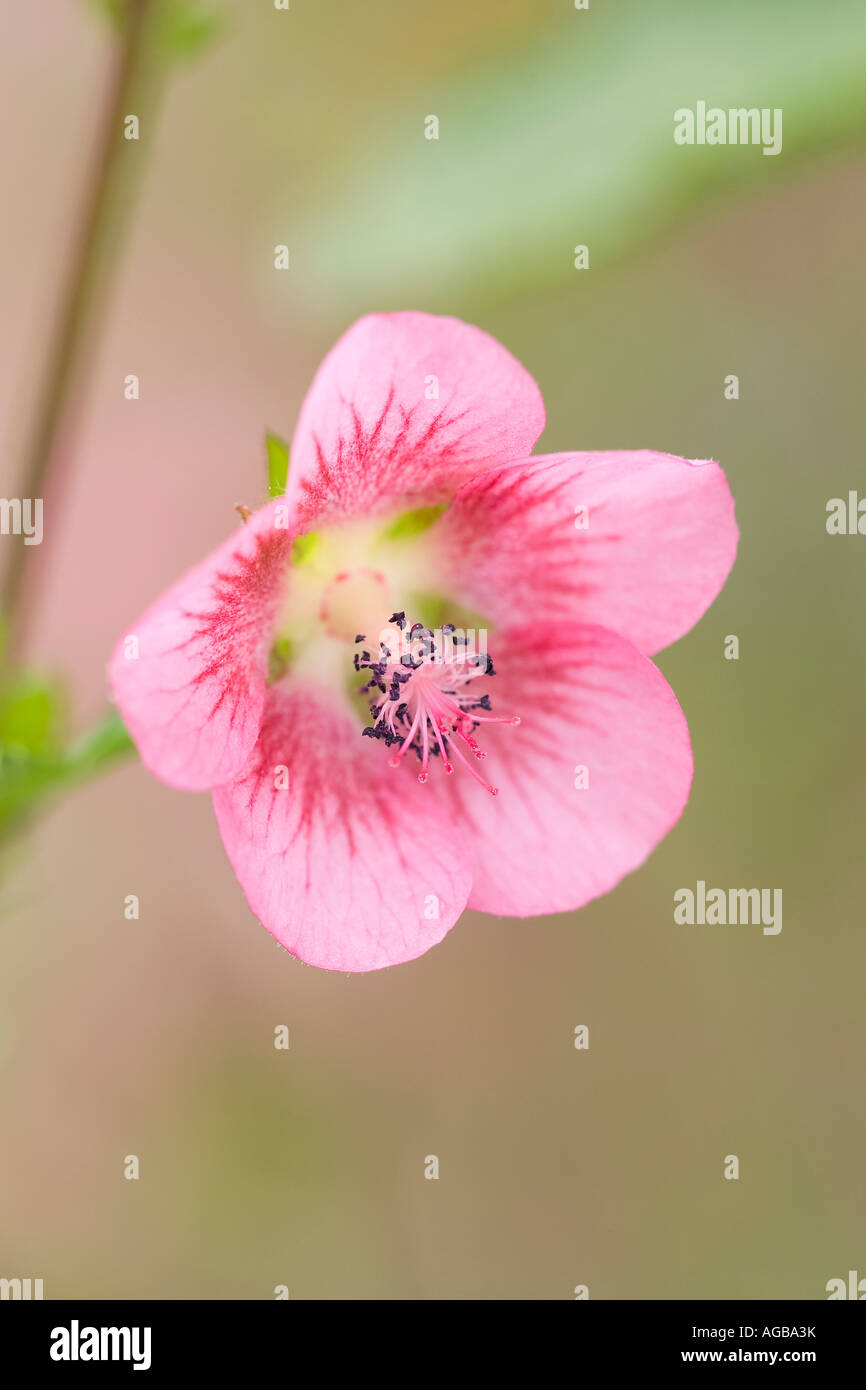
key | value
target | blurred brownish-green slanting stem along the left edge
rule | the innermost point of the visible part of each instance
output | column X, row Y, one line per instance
column 87, row 275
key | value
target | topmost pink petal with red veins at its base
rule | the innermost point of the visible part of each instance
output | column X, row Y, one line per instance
column 372, row 434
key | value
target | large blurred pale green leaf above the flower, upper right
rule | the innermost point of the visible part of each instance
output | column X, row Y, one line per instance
column 569, row 141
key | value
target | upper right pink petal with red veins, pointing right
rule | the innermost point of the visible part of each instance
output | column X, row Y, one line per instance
column 658, row 546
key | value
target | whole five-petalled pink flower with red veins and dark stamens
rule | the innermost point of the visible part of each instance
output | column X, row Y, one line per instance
column 414, row 489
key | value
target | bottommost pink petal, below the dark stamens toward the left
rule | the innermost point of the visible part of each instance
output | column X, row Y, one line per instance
column 354, row 865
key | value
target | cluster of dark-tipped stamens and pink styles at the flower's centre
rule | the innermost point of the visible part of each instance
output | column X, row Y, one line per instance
column 432, row 704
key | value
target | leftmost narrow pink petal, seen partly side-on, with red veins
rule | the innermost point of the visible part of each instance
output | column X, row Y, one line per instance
column 193, row 697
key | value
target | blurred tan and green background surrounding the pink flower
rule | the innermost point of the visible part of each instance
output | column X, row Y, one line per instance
column 156, row 1038
